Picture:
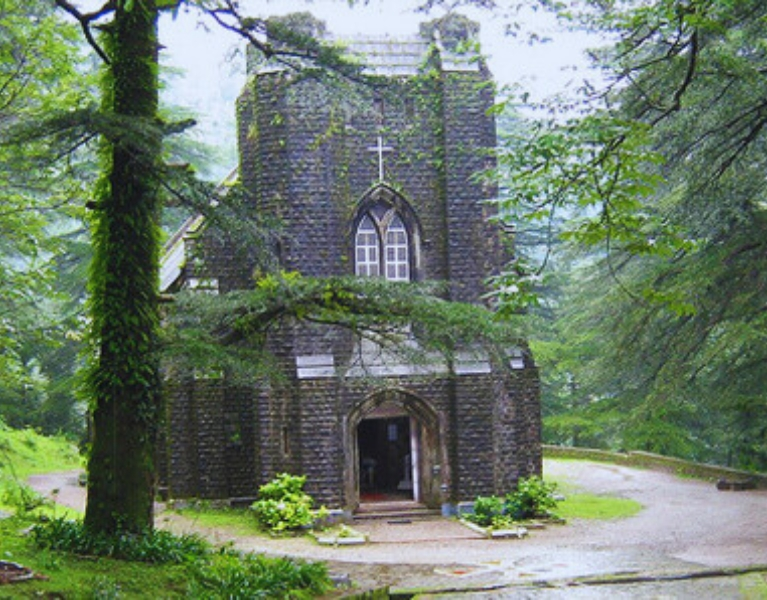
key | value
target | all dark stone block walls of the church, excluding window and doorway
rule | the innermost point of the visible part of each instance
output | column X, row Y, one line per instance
column 305, row 161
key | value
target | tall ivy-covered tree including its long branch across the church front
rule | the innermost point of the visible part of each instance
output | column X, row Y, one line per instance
column 123, row 382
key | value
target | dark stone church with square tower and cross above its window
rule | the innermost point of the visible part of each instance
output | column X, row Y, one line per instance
column 377, row 181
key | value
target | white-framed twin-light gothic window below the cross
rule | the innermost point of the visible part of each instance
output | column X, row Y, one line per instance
column 382, row 247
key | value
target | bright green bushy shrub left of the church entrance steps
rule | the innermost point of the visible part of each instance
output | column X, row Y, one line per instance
column 283, row 505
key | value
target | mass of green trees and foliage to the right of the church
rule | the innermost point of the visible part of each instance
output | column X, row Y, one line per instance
column 650, row 201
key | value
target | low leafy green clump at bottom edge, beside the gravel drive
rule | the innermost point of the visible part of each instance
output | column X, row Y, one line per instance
column 228, row 575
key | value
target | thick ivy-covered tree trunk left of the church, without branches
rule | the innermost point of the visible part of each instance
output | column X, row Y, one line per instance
column 124, row 379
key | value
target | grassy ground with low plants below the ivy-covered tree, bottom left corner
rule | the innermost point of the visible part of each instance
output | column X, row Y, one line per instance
column 199, row 572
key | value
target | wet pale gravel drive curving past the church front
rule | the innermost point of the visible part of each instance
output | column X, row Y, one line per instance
column 687, row 527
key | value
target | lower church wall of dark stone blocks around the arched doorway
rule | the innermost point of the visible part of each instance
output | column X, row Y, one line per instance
column 224, row 442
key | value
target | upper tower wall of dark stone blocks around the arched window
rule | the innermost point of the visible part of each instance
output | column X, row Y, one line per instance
column 314, row 164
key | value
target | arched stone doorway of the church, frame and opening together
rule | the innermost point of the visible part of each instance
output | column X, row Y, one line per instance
column 394, row 450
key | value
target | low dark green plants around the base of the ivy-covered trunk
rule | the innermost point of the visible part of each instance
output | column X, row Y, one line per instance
column 154, row 546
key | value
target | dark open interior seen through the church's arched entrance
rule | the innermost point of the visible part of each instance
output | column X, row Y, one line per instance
column 385, row 459
